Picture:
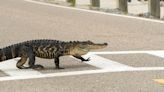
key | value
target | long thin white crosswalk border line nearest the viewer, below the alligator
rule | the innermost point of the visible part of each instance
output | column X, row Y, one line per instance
column 78, row 73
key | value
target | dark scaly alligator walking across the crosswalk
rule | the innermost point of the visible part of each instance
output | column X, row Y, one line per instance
column 47, row 48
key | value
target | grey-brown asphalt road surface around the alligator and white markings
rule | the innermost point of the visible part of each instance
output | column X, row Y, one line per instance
column 21, row 20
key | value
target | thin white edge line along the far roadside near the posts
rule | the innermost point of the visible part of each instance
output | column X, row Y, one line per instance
column 98, row 12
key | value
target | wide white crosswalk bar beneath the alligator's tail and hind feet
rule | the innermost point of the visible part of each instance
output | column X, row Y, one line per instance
column 9, row 67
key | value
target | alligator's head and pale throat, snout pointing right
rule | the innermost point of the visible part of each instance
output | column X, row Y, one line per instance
column 81, row 48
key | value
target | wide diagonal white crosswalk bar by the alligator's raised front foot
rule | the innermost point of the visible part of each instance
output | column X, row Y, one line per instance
column 104, row 63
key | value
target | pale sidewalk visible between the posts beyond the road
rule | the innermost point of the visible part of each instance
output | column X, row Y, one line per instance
column 134, row 8
